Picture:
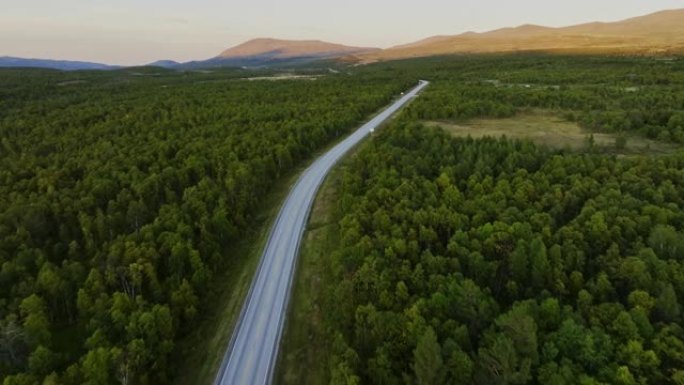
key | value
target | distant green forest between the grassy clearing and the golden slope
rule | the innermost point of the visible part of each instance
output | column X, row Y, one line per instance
column 614, row 95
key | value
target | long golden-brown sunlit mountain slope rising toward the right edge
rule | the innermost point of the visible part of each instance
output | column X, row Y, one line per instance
column 661, row 32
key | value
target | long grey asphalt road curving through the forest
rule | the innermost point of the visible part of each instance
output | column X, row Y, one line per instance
column 252, row 354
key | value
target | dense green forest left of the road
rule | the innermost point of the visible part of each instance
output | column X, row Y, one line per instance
column 120, row 192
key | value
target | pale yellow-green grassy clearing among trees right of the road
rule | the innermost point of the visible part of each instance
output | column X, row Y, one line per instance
column 548, row 129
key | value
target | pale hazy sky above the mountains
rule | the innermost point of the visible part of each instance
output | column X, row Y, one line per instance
column 141, row 31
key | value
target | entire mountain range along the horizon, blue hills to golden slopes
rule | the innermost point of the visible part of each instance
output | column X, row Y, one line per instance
column 660, row 33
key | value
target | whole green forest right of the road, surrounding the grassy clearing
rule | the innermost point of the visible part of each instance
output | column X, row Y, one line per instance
column 497, row 261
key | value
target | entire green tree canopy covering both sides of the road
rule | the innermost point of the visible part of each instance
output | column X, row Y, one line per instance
column 461, row 261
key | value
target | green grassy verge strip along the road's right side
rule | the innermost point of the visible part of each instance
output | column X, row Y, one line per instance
column 303, row 357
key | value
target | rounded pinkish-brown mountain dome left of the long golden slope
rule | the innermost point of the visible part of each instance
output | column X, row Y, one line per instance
column 284, row 49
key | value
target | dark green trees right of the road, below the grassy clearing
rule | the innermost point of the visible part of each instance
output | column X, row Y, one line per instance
column 498, row 262
